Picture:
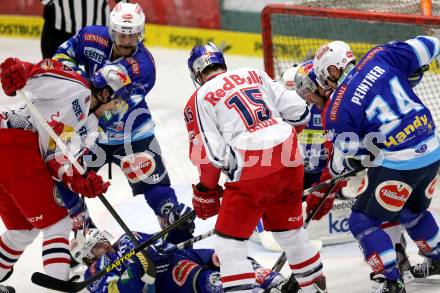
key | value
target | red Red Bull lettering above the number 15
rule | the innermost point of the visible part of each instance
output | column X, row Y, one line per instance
column 230, row 82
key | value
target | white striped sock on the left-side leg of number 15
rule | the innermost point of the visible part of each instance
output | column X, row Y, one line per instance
column 236, row 270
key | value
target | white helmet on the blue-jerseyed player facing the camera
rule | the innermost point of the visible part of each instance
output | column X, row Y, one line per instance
column 127, row 21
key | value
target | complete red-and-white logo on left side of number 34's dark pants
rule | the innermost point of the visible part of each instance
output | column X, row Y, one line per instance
column 392, row 194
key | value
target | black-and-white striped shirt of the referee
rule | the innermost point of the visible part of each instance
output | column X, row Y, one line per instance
column 71, row 15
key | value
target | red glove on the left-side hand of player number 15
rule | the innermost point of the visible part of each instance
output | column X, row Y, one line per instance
column 206, row 202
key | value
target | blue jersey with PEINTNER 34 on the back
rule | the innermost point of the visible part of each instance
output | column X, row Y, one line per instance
column 375, row 99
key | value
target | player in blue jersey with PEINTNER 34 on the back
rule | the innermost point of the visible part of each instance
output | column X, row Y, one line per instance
column 374, row 105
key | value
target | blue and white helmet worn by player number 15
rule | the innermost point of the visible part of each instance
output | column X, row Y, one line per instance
column 201, row 57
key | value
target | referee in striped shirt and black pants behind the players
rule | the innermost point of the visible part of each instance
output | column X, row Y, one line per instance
column 63, row 18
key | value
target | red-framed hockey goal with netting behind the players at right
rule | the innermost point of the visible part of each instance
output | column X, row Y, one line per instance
column 292, row 34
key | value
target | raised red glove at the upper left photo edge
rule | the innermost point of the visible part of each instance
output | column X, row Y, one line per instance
column 14, row 74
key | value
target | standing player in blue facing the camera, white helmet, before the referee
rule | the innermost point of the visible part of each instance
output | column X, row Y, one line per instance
column 127, row 128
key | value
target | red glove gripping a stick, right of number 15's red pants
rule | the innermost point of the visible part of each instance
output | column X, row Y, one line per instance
column 315, row 197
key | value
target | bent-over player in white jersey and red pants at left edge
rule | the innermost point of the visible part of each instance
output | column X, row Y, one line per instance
column 31, row 159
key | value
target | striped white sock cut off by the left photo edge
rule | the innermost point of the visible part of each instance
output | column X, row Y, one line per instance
column 12, row 245
